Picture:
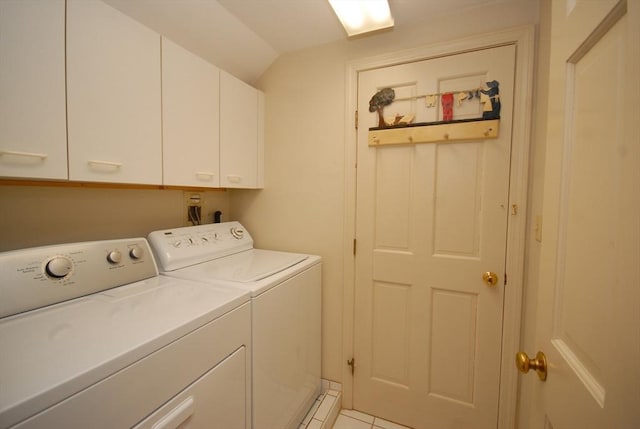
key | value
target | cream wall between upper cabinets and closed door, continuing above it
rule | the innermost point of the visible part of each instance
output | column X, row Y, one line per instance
column 302, row 207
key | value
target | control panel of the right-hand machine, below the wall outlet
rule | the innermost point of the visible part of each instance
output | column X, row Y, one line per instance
column 180, row 247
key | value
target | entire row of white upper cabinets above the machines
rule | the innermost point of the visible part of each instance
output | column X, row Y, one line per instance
column 90, row 97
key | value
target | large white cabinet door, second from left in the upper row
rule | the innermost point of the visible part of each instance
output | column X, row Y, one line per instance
column 113, row 85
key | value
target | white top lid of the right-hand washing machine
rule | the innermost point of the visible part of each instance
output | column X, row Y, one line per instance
column 252, row 265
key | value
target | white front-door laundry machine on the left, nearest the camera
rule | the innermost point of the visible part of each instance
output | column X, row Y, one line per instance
column 92, row 337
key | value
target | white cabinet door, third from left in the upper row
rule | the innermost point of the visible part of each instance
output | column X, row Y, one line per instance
column 190, row 118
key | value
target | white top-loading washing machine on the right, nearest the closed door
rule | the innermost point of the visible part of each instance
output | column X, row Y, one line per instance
column 285, row 304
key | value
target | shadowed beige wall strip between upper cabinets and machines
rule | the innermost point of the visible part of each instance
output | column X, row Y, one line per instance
column 41, row 215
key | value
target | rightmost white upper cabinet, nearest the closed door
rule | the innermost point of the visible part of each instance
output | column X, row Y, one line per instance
column 241, row 134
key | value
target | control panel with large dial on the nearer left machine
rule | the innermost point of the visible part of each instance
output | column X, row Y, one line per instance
column 41, row 276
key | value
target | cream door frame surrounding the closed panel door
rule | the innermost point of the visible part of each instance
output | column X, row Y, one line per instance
column 524, row 40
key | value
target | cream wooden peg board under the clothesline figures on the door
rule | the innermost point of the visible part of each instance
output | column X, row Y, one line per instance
column 435, row 132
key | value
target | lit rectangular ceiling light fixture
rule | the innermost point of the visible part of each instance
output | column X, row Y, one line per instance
column 362, row 16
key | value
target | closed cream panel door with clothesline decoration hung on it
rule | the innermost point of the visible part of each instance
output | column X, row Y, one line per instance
column 431, row 219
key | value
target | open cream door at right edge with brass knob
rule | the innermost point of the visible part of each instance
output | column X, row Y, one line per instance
column 589, row 300
